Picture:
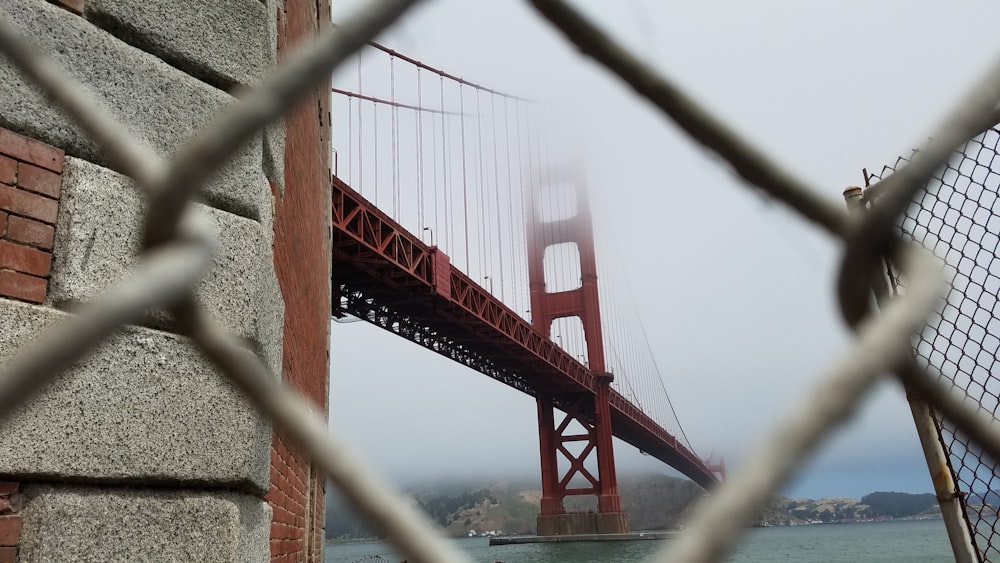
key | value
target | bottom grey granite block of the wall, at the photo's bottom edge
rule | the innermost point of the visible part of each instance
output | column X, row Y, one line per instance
column 82, row 524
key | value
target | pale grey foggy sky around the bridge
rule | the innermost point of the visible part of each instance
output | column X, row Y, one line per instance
column 735, row 292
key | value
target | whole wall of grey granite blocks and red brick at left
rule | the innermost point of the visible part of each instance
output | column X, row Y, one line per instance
column 142, row 451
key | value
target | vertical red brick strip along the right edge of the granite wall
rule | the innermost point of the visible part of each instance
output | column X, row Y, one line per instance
column 302, row 263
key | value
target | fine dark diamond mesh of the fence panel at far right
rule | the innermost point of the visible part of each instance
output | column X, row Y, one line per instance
column 957, row 217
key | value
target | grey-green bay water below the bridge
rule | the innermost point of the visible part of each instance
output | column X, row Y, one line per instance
column 910, row 541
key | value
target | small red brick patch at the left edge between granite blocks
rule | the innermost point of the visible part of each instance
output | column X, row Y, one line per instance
column 30, row 178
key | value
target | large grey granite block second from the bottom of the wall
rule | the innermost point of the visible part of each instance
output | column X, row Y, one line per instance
column 144, row 407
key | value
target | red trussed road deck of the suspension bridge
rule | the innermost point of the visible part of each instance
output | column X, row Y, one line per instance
column 390, row 277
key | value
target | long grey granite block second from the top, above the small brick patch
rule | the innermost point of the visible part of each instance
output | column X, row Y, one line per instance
column 162, row 106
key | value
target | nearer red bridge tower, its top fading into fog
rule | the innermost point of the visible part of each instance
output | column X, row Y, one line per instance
column 592, row 412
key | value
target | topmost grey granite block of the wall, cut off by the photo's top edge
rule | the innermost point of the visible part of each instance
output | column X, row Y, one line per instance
column 224, row 42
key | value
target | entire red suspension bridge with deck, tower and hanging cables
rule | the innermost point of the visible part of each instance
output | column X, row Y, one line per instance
column 459, row 224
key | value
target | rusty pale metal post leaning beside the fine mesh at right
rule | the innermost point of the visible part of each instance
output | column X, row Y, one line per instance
column 949, row 498
